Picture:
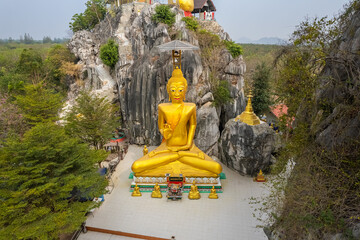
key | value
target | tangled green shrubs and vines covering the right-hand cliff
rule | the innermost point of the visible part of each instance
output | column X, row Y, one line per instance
column 321, row 195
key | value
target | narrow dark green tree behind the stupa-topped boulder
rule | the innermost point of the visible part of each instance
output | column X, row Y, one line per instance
column 261, row 89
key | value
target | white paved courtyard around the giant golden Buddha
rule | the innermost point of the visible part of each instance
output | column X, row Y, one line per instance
column 229, row 217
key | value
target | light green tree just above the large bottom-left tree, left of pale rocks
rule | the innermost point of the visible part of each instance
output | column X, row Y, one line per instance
column 39, row 104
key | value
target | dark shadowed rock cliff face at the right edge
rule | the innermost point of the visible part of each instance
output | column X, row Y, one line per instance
column 338, row 97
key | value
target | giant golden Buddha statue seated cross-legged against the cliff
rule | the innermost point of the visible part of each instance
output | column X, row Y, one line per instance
column 177, row 154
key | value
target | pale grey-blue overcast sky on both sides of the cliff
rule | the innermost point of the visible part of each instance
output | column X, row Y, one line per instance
column 253, row 19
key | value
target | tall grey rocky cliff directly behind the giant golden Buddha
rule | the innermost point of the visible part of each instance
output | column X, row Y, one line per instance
column 138, row 81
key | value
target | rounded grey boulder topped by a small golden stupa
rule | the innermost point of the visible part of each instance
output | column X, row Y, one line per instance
column 245, row 148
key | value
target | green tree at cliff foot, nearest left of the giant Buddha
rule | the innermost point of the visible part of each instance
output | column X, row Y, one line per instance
column 92, row 119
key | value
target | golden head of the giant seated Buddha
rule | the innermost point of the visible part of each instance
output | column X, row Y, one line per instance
column 177, row 87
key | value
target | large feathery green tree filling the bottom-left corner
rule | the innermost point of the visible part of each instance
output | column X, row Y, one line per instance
column 42, row 178
